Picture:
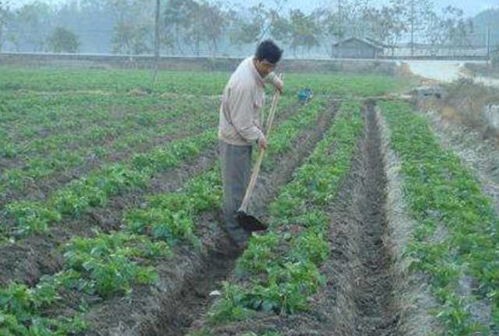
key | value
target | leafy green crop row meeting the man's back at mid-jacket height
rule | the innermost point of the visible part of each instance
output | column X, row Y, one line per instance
column 60, row 156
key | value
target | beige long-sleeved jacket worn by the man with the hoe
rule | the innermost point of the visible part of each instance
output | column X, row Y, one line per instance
column 242, row 100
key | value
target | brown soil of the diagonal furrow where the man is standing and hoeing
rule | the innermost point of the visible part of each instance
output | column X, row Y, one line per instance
column 187, row 280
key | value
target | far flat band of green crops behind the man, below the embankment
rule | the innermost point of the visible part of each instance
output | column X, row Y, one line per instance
column 206, row 83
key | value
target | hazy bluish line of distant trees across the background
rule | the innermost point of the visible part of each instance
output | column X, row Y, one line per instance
column 195, row 27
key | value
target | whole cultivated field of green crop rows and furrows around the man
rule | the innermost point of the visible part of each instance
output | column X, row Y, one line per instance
column 110, row 201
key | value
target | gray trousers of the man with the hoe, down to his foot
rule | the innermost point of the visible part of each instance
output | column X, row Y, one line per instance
column 236, row 170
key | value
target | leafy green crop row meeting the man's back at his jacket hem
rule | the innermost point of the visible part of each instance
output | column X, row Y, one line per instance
column 94, row 190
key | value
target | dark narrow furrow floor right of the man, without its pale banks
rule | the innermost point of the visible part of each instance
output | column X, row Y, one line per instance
column 373, row 298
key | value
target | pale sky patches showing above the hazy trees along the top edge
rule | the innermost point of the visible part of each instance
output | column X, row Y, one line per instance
column 471, row 7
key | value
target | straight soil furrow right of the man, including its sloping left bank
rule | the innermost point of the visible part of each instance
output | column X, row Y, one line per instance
column 359, row 297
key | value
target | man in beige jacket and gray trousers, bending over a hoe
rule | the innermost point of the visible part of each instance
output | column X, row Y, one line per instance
column 239, row 128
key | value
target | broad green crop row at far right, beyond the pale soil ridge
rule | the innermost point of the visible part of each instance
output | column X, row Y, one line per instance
column 456, row 233
